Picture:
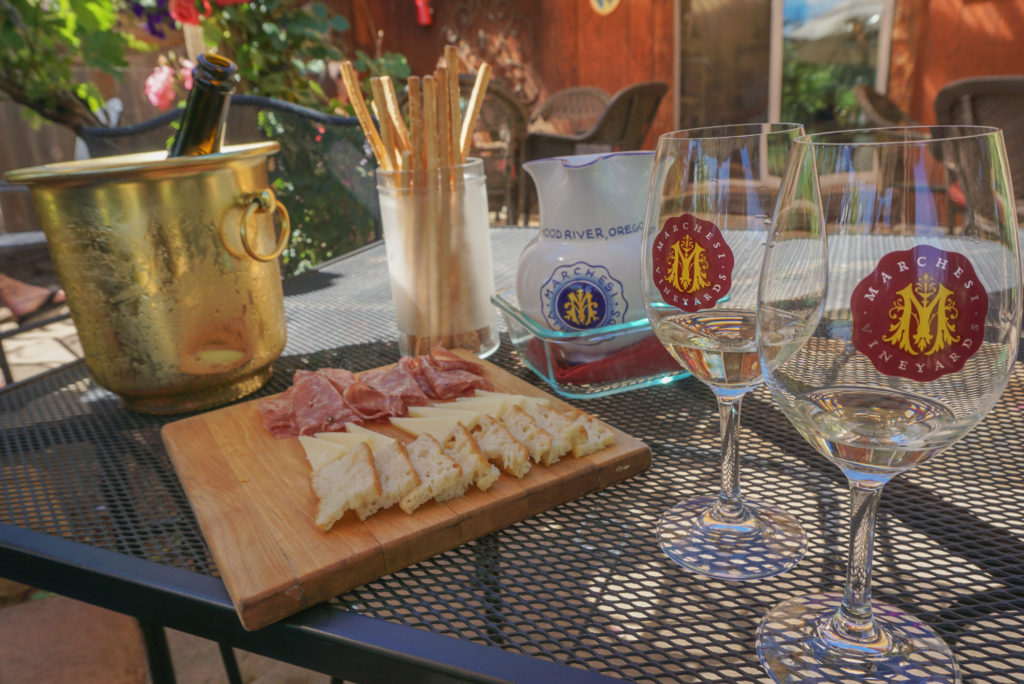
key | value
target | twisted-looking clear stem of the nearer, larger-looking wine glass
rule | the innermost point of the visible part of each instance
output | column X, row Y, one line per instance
column 854, row 621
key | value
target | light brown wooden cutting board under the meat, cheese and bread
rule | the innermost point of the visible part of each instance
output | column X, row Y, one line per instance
column 252, row 497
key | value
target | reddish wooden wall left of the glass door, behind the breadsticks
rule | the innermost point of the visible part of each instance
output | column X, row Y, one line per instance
column 544, row 46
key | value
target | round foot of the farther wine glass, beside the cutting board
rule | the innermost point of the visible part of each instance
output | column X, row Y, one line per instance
column 767, row 542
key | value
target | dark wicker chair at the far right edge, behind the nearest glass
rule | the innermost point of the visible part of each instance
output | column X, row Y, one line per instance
column 990, row 101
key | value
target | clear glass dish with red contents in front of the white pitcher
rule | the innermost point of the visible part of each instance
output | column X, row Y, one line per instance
column 635, row 359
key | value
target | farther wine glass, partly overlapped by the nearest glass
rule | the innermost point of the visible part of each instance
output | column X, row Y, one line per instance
column 712, row 195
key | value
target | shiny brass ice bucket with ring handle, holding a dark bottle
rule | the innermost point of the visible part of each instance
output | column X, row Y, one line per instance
column 172, row 273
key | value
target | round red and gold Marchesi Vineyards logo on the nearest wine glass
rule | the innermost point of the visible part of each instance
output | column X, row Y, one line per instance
column 921, row 314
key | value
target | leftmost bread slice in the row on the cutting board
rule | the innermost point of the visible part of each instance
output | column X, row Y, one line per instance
column 348, row 483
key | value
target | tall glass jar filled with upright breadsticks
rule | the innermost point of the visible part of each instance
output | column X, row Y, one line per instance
column 429, row 218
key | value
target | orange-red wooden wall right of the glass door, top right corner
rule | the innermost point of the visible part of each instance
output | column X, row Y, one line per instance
column 955, row 39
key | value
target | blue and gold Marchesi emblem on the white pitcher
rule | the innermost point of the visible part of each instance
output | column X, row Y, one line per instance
column 582, row 296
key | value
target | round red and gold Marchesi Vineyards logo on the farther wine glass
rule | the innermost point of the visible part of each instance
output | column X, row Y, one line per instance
column 693, row 264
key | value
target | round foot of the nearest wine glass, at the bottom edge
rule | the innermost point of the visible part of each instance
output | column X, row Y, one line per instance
column 793, row 650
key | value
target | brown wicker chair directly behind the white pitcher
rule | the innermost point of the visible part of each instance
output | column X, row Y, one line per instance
column 623, row 125
